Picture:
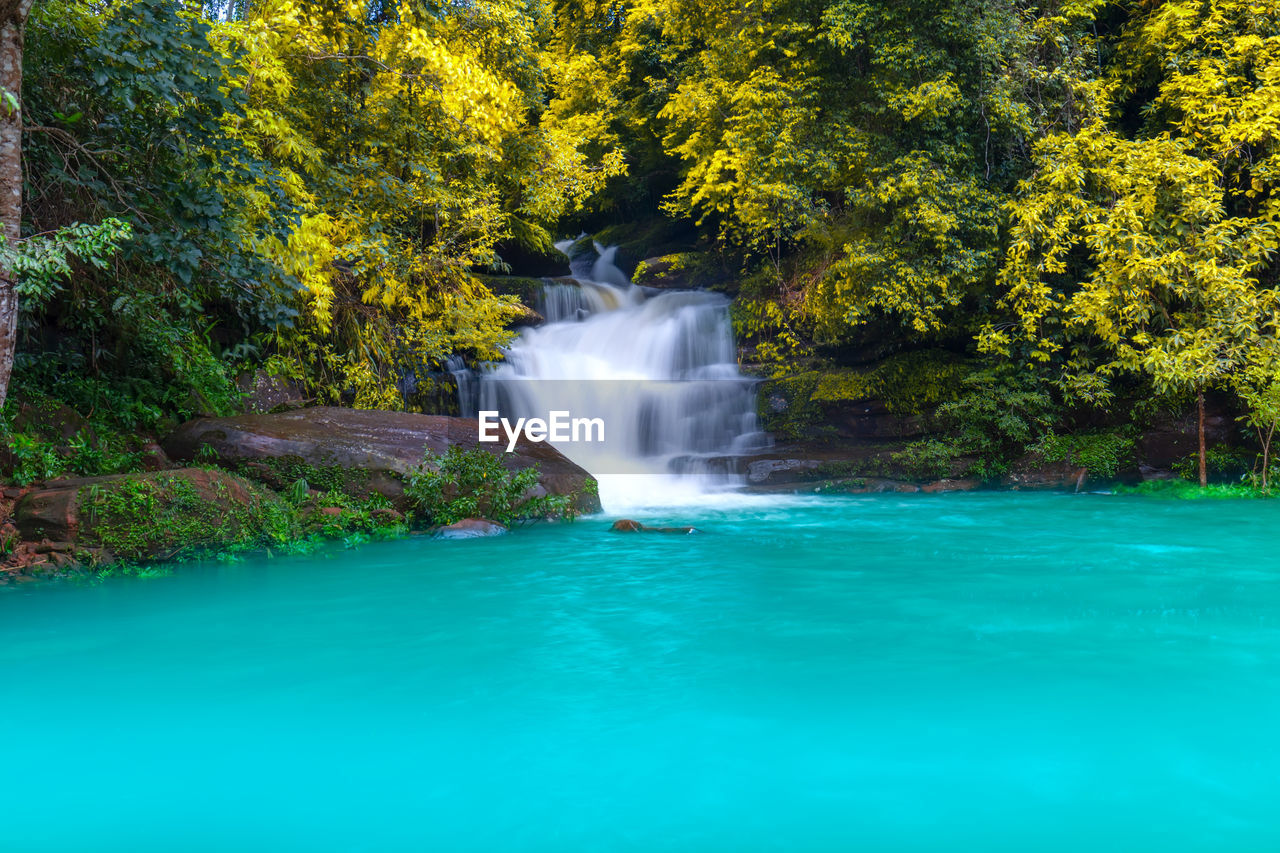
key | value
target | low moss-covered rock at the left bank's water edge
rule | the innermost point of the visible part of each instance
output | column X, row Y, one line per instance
column 157, row 516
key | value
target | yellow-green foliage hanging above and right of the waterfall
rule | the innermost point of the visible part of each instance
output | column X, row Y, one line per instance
column 875, row 138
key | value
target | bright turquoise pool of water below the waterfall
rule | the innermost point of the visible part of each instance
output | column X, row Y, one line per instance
column 916, row 673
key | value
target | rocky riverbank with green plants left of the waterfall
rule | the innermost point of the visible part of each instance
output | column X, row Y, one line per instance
column 281, row 483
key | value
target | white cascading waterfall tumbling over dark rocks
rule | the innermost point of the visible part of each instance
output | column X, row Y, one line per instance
column 659, row 368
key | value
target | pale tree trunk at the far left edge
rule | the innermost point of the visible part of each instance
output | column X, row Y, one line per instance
column 13, row 19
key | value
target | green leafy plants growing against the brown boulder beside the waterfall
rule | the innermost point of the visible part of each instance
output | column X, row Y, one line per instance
column 473, row 485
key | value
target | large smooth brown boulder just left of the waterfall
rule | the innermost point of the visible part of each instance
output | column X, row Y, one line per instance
column 362, row 453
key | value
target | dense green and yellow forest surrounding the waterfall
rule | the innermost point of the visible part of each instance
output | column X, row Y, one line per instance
column 1068, row 209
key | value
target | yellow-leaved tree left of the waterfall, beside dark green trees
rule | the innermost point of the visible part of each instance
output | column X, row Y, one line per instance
column 410, row 140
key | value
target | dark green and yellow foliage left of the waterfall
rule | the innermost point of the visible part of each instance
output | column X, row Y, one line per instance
column 310, row 181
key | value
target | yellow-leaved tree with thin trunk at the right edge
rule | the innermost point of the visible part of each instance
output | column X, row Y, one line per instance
column 1154, row 254
